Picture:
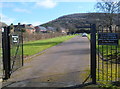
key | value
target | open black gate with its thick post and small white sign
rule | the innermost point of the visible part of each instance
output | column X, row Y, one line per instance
column 12, row 49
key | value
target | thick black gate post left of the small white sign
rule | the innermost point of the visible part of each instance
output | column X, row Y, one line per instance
column 6, row 52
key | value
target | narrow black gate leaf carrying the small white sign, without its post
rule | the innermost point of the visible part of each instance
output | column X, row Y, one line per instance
column 16, row 54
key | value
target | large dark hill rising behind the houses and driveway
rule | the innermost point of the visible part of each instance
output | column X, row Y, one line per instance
column 73, row 22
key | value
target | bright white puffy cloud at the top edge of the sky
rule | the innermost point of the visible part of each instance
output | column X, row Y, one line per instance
column 46, row 4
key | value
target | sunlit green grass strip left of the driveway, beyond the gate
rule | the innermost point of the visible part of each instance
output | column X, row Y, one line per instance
column 33, row 47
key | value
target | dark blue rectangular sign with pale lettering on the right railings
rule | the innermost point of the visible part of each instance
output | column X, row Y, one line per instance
column 107, row 39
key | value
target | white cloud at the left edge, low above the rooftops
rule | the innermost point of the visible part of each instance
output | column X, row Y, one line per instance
column 6, row 19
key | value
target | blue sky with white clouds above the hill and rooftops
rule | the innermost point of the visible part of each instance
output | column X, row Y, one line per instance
column 42, row 11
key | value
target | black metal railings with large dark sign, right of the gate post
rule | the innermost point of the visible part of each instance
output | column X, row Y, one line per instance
column 108, row 54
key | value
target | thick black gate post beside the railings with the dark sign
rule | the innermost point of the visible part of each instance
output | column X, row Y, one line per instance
column 93, row 53
